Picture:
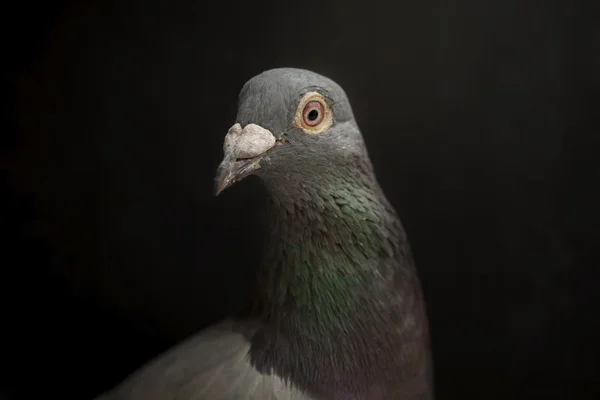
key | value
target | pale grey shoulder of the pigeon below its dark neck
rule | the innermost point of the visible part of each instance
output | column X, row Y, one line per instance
column 212, row 365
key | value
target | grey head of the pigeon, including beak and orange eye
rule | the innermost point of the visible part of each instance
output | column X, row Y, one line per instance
column 291, row 123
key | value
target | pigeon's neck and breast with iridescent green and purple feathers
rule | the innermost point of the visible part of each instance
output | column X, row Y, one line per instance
column 336, row 289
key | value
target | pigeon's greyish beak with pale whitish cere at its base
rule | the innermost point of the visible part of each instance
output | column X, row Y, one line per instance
column 243, row 148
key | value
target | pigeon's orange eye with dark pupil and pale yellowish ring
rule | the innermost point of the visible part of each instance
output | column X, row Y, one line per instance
column 313, row 115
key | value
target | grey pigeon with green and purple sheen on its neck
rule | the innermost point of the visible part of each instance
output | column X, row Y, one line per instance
column 338, row 311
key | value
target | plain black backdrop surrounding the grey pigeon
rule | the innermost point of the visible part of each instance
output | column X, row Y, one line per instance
column 479, row 118
